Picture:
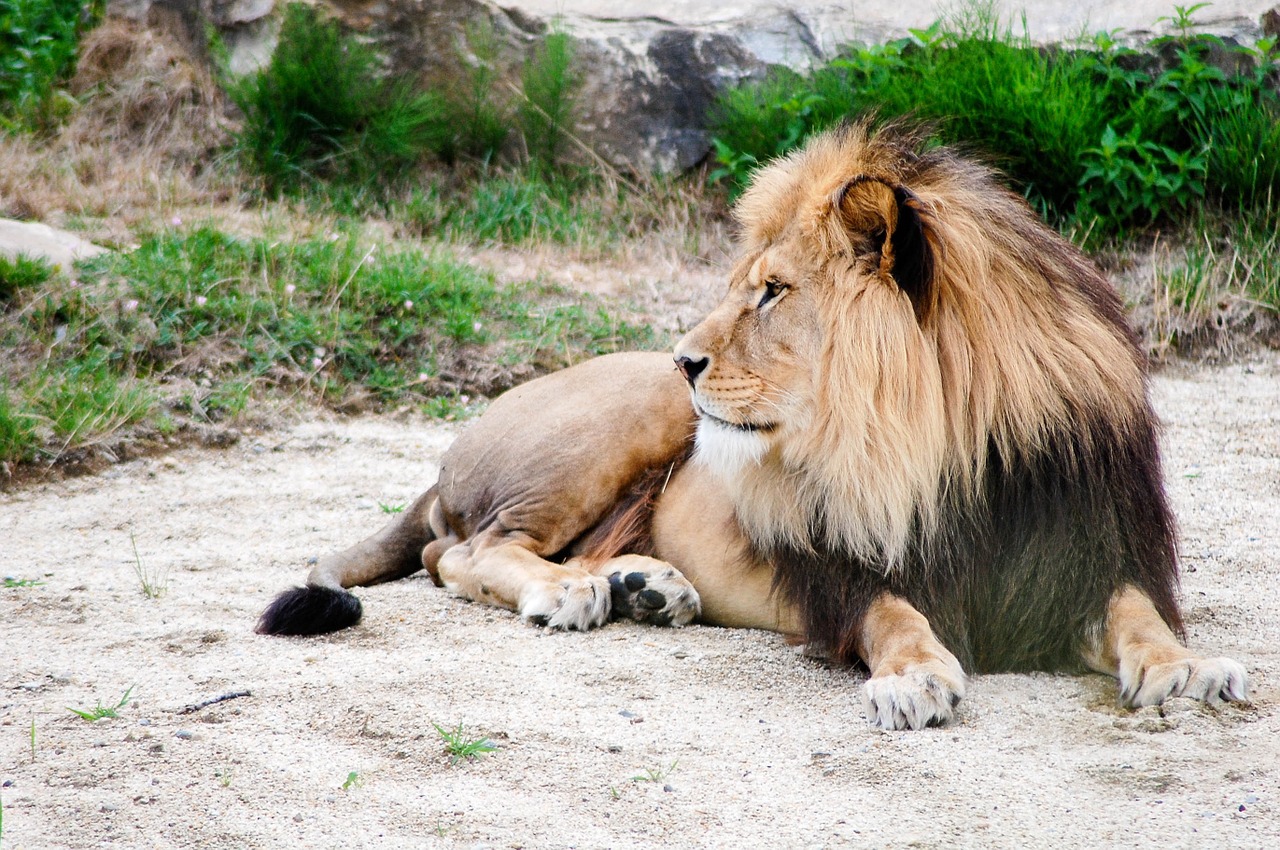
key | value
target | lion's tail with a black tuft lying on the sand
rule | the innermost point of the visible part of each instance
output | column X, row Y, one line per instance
column 326, row 605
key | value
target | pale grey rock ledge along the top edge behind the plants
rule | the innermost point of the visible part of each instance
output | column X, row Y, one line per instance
column 651, row 68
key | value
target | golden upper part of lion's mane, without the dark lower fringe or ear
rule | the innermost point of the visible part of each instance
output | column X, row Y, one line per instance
column 1020, row 340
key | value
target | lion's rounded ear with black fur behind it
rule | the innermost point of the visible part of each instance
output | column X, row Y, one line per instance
column 886, row 222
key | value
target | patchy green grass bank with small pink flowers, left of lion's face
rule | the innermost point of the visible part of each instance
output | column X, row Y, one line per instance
column 194, row 323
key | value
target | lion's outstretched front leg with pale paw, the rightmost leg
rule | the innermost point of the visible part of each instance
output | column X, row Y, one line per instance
column 1153, row 666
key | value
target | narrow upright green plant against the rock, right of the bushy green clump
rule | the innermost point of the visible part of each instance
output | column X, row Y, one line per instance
column 550, row 92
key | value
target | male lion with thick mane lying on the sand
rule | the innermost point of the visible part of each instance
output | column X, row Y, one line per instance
column 924, row 442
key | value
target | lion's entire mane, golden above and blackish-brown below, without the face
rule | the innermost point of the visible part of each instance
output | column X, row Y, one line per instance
column 985, row 447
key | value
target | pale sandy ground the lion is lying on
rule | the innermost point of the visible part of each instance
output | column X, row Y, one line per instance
column 751, row 746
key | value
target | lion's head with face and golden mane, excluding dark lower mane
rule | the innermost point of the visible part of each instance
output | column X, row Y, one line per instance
column 898, row 322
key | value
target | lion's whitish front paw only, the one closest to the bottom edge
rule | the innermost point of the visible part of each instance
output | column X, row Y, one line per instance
column 920, row 697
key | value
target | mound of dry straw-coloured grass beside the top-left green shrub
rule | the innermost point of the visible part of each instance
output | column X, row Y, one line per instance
column 139, row 149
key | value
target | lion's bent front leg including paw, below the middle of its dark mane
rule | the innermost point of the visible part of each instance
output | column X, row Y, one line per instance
column 916, row 682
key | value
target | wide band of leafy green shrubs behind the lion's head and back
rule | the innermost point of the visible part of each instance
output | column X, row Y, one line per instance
column 1099, row 136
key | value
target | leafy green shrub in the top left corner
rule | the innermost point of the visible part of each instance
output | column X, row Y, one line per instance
column 39, row 43
